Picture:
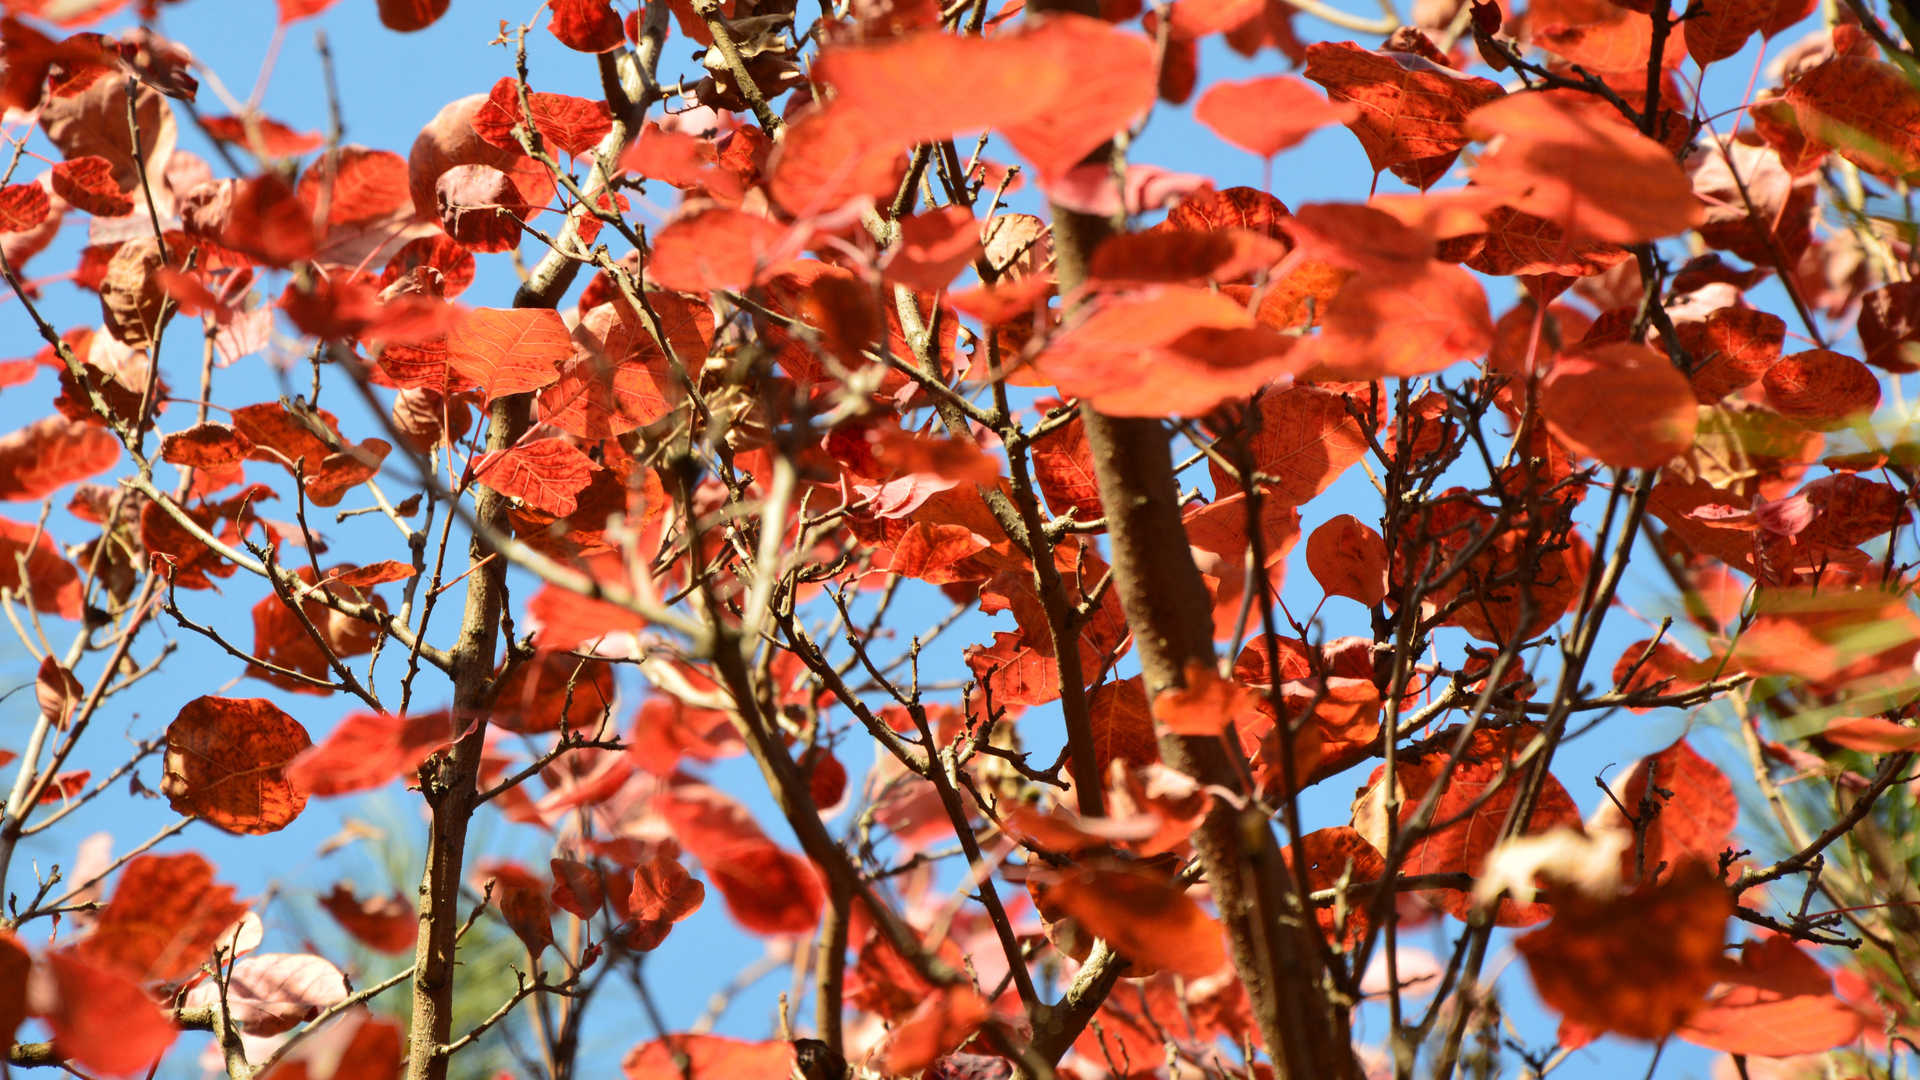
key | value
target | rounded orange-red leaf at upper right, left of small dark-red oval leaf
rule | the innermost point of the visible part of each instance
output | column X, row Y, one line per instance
column 1621, row 405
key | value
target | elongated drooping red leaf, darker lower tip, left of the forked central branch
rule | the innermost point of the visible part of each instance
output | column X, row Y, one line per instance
column 765, row 889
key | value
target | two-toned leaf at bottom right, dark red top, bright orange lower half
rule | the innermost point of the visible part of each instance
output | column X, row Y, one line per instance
column 1779, row 1002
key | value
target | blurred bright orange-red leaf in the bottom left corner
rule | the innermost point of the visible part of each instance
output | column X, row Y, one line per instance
column 103, row 1019
